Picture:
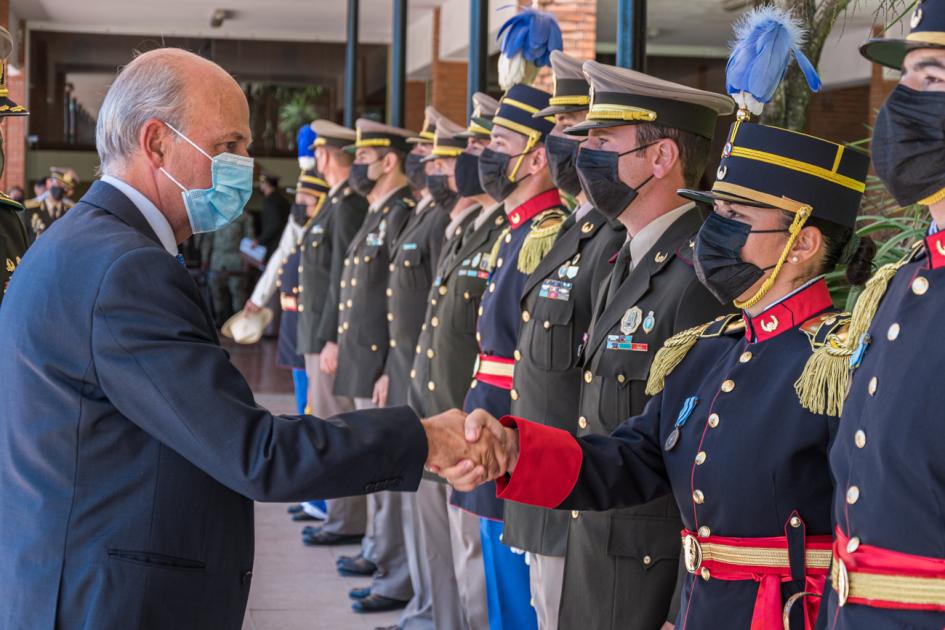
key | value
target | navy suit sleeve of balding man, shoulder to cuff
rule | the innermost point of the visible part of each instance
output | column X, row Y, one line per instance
column 157, row 361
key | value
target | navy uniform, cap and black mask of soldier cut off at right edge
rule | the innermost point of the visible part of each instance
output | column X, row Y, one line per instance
column 889, row 558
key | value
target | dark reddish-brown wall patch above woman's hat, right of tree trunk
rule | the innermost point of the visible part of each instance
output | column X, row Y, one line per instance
column 841, row 114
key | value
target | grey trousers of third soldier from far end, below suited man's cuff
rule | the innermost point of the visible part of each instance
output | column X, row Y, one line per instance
column 386, row 525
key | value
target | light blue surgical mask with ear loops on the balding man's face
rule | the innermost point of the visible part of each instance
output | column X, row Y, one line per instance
column 209, row 209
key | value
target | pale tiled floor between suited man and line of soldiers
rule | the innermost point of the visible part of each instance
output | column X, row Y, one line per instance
column 294, row 587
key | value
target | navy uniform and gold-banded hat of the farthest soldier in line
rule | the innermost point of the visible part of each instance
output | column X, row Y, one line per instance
column 289, row 282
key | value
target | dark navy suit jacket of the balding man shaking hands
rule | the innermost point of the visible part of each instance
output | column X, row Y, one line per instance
column 131, row 448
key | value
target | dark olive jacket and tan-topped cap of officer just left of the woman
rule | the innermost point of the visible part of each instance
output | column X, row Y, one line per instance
column 652, row 294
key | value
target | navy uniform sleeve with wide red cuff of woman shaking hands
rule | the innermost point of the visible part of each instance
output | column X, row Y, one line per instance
column 595, row 472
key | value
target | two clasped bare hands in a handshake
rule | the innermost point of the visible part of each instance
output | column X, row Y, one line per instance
column 469, row 450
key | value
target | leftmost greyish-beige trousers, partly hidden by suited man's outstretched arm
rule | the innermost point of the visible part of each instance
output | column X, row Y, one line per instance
column 346, row 516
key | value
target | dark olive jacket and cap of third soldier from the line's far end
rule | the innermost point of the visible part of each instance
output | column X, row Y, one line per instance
column 363, row 333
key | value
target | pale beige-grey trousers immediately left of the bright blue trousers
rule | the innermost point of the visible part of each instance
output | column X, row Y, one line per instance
column 468, row 567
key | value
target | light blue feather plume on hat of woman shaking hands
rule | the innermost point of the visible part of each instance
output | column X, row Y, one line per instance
column 765, row 40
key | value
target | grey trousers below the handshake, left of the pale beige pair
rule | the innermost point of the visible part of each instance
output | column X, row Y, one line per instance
column 436, row 602
